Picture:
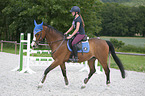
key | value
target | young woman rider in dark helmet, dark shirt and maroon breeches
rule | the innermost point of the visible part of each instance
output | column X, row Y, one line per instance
column 79, row 32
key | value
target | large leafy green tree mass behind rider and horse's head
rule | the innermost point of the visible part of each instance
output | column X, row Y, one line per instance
column 20, row 14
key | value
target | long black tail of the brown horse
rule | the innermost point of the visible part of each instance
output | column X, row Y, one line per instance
column 116, row 59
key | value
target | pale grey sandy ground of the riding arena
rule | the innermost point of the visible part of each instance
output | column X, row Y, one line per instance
column 24, row 84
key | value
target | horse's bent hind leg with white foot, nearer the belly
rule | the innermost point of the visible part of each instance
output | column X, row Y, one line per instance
column 91, row 64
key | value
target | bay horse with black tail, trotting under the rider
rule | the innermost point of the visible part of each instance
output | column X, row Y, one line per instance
column 99, row 49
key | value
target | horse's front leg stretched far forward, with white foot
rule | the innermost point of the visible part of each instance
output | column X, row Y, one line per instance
column 52, row 66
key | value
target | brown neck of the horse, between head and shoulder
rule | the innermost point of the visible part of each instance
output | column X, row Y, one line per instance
column 53, row 38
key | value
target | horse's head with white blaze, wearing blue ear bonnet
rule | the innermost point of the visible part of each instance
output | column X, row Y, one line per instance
column 39, row 34
